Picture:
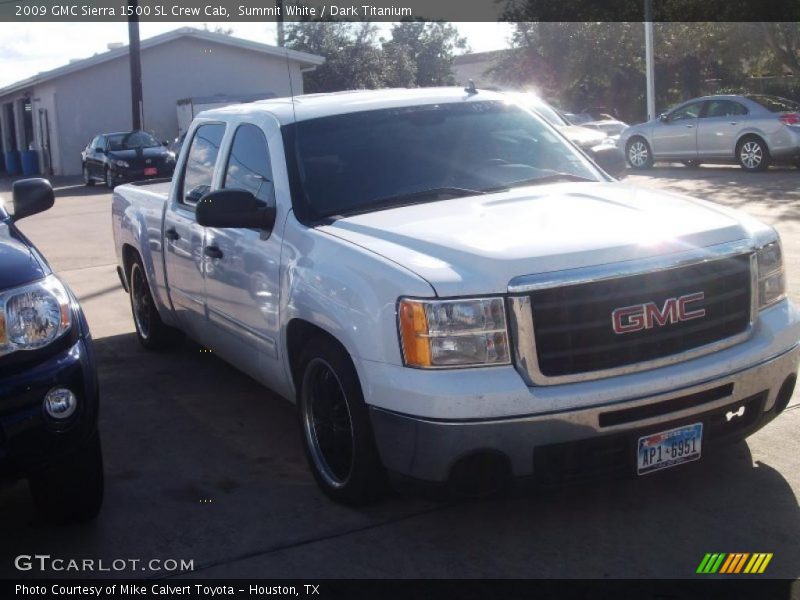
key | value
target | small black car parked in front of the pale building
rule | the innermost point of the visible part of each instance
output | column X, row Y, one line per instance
column 114, row 158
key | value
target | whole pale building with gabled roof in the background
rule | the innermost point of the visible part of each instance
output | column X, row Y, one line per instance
column 58, row 112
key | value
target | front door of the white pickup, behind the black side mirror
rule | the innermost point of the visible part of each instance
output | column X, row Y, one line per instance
column 242, row 274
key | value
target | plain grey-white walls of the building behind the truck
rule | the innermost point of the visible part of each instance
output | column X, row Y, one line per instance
column 96, row 100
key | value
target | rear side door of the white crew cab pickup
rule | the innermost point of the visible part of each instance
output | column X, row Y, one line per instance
column 183, row 237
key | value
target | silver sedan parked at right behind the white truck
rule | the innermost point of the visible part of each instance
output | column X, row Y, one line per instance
column 753, row 130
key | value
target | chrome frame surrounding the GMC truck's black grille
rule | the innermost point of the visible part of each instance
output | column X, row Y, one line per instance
column 520, row 314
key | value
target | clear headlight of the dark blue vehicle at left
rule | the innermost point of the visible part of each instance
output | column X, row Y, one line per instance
column 34, row 315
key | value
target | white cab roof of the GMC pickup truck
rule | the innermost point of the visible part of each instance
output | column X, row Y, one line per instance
column 312, row 106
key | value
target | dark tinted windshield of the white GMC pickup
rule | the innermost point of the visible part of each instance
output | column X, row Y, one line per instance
column 373, row 160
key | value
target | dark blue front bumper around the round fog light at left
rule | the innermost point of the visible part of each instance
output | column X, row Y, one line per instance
column 28, row 437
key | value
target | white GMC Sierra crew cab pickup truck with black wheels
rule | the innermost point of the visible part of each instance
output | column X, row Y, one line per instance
column 452, row 293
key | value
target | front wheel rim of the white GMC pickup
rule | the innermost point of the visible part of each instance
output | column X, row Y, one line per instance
column 327, row 423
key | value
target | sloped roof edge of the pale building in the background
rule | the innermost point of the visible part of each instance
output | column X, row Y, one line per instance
column 306, row 60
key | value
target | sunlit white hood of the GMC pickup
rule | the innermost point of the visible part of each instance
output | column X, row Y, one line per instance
column 476, row 245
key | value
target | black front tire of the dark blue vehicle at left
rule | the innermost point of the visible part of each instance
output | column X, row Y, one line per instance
column 70, row 490
